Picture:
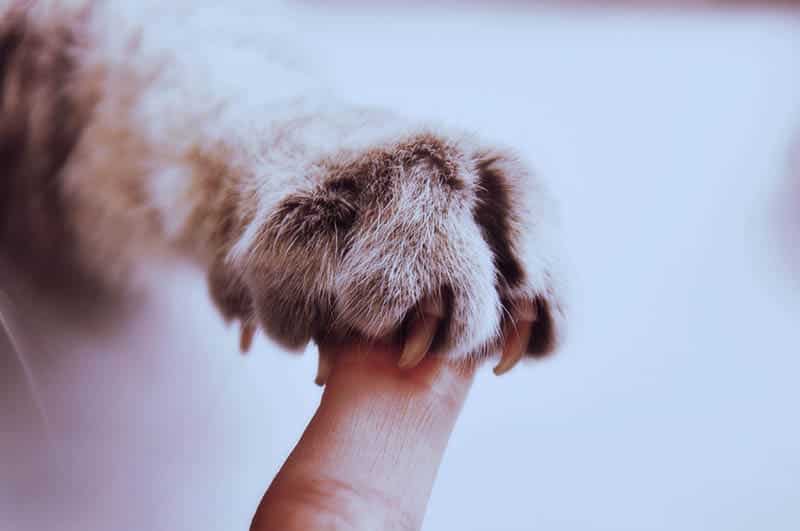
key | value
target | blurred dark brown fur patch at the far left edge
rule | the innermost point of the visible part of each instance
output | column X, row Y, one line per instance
column 43, row 113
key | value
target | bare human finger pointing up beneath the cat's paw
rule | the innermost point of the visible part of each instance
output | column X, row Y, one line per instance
column 369, row 456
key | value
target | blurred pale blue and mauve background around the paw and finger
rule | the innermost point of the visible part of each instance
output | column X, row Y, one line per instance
column 667, row 131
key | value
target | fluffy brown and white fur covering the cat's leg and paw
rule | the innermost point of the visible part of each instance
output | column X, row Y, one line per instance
column 130, row 130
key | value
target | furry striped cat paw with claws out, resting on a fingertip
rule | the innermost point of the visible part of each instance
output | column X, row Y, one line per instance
column 444, row 246
